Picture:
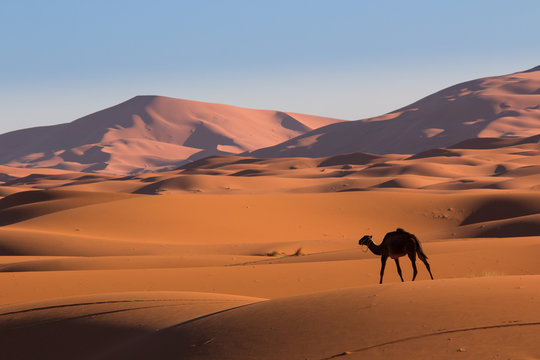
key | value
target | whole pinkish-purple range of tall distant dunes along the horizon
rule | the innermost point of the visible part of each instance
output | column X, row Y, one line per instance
column 154, row 133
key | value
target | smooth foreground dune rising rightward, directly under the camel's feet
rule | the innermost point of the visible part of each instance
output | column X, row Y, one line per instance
column 371, row 322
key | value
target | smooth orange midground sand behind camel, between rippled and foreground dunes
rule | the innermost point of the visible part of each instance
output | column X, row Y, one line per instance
column 245, row 244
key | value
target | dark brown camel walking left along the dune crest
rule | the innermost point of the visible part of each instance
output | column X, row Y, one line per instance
column 396, row 244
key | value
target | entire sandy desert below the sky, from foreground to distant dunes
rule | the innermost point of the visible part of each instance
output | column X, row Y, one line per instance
column 148, row 255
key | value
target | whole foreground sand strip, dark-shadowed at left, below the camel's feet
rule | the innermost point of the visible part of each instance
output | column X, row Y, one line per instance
column 442, row 319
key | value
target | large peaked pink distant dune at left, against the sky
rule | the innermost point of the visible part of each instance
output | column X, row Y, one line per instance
column 151, row 133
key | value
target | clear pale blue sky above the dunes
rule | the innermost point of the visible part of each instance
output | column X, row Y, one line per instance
column 61, row 60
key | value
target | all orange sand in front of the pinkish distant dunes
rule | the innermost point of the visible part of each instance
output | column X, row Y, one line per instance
column 241, row 258
